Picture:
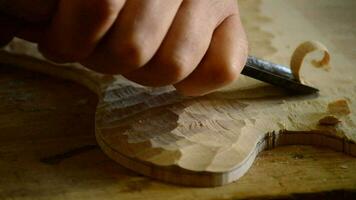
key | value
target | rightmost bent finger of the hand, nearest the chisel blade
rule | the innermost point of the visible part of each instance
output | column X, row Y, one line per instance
column 223, row 62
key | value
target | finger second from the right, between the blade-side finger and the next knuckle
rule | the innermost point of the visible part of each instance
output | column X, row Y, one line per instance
column 184, row 45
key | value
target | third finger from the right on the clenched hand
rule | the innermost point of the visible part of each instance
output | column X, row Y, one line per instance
column 135, row 37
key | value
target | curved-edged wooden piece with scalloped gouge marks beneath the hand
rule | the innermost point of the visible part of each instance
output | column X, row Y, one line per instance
column 206, row 141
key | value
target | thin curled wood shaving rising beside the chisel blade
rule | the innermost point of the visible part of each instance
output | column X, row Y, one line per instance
column 301, row 52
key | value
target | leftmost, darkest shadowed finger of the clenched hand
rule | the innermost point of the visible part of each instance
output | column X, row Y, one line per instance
column 77, row 27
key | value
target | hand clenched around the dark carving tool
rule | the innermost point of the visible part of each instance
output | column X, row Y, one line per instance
column 196, row 45
